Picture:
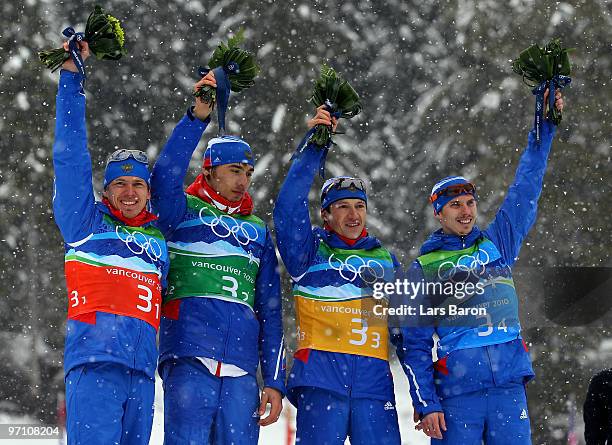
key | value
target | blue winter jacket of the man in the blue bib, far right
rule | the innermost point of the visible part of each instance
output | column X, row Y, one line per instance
column 460, row 368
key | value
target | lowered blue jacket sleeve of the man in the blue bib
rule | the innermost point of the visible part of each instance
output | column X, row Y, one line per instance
column 414, row 343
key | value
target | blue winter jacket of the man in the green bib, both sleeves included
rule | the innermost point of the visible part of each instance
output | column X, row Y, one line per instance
column 225, row 331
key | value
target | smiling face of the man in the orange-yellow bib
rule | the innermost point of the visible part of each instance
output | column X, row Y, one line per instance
column 346, row 217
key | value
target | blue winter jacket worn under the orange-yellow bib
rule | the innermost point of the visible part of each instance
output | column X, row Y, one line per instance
column 298, row 241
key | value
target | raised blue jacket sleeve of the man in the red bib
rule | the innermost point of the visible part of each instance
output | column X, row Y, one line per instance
column 73, row 198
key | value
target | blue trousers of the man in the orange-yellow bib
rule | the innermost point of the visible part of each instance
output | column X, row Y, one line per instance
column 328, row 418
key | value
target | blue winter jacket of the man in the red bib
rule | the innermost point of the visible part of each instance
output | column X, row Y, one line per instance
column 89, row 231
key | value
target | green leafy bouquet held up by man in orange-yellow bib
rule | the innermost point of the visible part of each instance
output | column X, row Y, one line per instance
column 339, row 98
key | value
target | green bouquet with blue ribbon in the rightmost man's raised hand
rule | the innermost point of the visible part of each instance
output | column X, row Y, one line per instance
column 543, row 68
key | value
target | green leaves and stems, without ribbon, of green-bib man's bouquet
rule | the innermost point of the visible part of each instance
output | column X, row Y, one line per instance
column 240, row 65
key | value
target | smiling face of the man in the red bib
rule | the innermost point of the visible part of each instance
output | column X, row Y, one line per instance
column 129, row 194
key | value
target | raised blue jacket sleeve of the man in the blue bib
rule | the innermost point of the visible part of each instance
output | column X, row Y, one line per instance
column 519, row 209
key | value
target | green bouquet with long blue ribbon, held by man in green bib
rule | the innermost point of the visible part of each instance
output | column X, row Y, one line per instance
column 235, row 69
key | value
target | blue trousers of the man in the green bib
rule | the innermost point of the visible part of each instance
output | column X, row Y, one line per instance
column 200, row 408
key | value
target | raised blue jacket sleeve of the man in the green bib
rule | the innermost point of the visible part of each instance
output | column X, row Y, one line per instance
column 167, row 197
